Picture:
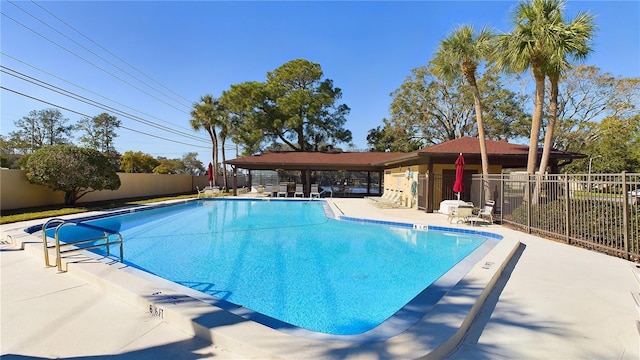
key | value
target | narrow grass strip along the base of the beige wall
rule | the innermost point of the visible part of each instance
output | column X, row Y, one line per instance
column 11, row 216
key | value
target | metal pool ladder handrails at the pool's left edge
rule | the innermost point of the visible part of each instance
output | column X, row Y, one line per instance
column 79, row 245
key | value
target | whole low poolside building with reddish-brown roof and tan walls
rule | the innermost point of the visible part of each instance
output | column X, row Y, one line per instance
column 425, row 176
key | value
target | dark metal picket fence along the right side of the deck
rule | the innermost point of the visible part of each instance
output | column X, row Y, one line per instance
column 595, row 211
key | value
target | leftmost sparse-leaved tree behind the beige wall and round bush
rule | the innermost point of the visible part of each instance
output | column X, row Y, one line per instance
column 41, row 128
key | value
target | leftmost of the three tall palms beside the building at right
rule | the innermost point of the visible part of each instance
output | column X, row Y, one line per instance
column 461, row 53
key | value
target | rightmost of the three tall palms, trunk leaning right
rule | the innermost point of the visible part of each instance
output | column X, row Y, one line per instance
column 572, row 40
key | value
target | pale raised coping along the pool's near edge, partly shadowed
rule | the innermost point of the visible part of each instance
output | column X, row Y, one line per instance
column 433, row 336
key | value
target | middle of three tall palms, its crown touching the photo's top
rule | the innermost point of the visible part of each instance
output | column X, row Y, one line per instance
column 528, row 46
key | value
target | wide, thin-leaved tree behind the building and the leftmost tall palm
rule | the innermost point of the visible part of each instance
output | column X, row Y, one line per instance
column 430, row 110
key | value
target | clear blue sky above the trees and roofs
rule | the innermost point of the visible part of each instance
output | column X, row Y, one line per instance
column 182, row 50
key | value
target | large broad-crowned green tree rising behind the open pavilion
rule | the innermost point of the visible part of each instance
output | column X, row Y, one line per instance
column 295, row 106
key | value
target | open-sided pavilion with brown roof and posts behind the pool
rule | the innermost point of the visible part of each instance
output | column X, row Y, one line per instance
column 308, row 162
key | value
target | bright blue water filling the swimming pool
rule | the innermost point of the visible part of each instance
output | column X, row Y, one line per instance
column 288, row 260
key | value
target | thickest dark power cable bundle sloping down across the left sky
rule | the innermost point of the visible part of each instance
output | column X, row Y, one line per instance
column 88, row 101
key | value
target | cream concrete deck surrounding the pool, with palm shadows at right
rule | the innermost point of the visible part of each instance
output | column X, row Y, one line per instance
column 552, row 301
